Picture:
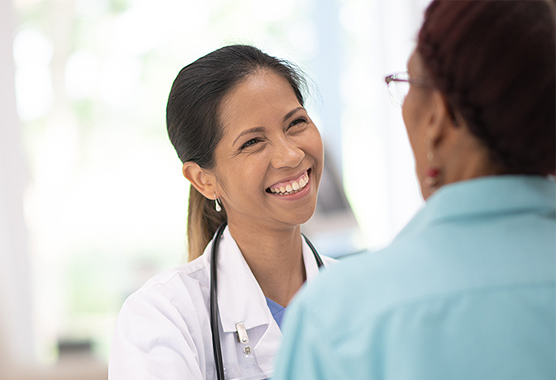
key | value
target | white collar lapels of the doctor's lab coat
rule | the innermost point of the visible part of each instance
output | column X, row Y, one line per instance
column 240, row 298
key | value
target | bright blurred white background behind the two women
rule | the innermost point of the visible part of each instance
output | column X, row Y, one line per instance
column 92, row 200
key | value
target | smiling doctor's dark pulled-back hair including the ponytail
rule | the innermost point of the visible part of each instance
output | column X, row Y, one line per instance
column 194, row 124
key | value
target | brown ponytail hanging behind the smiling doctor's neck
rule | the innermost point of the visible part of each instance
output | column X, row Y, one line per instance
column 202, row 222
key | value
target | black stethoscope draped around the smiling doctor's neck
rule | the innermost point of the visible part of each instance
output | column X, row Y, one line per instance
column 214, row 302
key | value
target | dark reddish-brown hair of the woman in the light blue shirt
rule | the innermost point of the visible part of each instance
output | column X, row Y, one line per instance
column 495, row 63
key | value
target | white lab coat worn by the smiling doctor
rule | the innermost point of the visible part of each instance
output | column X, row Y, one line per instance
column 163, row 330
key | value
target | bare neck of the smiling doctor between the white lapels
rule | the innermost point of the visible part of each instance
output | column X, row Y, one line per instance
column 275, row 259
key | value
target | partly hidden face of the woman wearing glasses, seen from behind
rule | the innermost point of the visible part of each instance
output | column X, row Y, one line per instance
column 416, row 111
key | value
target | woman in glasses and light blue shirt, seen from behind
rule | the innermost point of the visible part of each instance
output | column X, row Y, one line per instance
column 467, row 289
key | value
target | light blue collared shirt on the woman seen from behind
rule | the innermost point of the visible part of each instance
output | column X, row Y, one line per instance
column 466, row 291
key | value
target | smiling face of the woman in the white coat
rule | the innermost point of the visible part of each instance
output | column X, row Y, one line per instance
column 270, row 159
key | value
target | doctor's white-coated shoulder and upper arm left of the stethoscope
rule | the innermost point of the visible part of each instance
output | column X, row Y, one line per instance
column 164, row 318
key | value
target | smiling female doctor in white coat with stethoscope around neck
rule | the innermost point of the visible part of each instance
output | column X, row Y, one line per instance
column 254, row 159
